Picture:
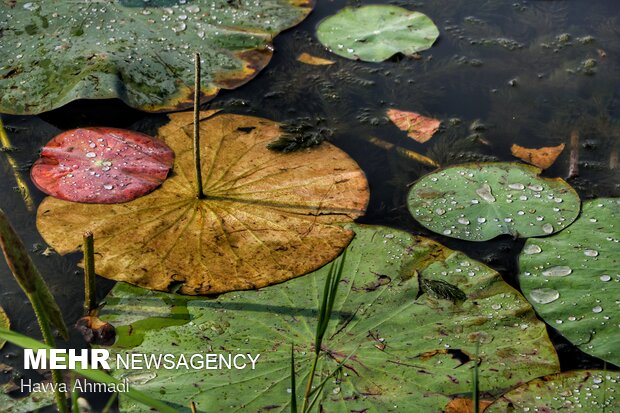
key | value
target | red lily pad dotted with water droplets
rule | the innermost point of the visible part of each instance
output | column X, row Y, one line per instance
column 101, row 165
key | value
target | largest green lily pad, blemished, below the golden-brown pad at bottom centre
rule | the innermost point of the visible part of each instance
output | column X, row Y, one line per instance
column 408, row 349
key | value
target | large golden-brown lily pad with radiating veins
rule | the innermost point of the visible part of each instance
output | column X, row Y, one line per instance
column 267, row 217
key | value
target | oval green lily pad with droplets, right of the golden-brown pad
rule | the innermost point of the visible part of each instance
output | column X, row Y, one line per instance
column 477, row 202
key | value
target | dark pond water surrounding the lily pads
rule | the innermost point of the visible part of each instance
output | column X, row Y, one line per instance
column 529, row 73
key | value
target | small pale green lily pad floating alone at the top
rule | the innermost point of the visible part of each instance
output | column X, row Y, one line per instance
column 377, row 32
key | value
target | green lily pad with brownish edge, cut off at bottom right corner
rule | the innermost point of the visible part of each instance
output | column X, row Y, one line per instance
column 572, row 391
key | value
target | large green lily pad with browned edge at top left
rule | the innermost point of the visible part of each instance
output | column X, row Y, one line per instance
column 52, row 52
